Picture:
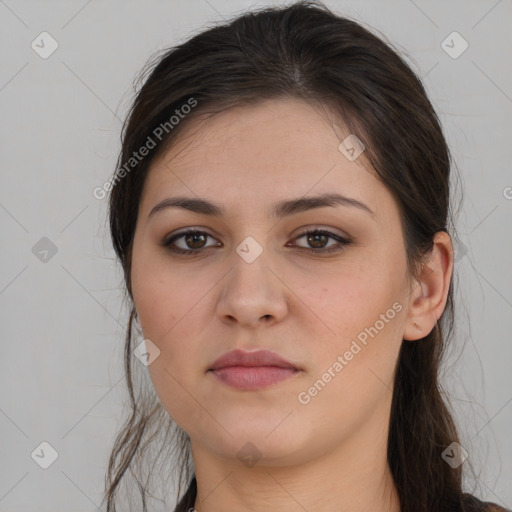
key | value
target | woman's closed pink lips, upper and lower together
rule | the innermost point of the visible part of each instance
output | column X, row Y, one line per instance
column 252, row 370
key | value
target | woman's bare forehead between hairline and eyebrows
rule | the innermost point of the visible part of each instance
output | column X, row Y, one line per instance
column 251, row 155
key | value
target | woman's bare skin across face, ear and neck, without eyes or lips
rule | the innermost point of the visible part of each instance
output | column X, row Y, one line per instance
column 328, row 454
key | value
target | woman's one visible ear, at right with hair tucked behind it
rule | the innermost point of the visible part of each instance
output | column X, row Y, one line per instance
column 428, row 296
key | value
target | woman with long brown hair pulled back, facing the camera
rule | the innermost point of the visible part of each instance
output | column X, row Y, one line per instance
column 281, row 213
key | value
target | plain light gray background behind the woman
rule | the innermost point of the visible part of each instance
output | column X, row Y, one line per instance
column 62, row 327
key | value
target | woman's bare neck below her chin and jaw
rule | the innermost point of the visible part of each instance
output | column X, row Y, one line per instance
column 355, row 478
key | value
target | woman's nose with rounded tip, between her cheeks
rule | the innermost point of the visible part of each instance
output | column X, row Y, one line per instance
column 253, row 294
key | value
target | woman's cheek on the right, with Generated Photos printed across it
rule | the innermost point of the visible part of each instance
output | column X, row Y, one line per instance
column 360, row 316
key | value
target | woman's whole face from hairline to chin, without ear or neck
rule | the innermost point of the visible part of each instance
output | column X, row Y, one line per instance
column 322, row 285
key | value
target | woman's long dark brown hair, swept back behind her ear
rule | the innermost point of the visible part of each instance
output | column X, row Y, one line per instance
column 304, row 51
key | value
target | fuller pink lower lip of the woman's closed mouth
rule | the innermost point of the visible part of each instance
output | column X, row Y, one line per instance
column 253, row 377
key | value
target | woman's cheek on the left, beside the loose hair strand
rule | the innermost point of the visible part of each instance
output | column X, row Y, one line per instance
column 170, row 308
